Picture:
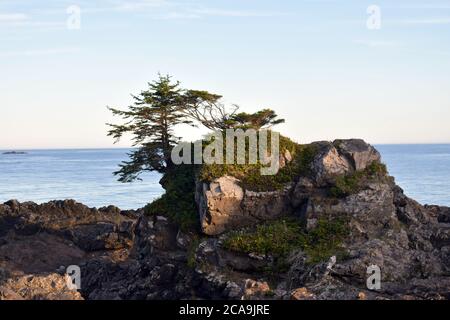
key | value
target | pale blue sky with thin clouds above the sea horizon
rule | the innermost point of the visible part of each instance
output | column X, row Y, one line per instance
column 377, row 70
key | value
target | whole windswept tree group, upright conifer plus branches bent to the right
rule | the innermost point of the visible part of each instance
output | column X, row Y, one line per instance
column 155, row 113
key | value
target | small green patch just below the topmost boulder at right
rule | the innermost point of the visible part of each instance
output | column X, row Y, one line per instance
column 353, row 183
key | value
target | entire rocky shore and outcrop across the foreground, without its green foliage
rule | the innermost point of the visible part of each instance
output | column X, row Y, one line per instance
column 129, row 255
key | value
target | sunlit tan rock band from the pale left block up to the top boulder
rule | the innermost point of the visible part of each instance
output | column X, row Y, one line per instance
column 224, row 204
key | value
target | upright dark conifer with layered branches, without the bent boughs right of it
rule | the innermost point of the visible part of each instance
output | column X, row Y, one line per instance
column 151, row 121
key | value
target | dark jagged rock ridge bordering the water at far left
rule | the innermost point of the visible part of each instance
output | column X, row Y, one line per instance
column 90, row 229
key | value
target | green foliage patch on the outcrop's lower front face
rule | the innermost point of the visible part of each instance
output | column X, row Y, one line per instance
column 279, row 238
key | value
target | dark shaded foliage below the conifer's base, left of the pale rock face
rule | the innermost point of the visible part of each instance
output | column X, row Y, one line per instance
column 178, row 202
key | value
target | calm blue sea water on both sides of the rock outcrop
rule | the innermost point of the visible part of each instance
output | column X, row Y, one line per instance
column 86, row 176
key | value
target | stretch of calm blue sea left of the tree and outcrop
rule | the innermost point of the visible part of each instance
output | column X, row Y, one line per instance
column 83, row 175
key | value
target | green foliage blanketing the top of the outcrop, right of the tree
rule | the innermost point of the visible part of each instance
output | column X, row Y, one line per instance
column 250, row 174
